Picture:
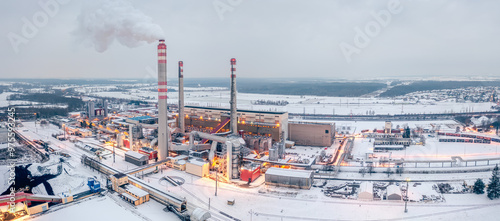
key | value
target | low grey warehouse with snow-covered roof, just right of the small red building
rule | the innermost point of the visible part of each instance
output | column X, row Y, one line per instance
column 301, row 179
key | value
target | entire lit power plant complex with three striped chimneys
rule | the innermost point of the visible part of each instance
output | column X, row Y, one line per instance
column 235, row 145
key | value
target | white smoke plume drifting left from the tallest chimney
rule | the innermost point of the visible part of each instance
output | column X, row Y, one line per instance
column 103, row 21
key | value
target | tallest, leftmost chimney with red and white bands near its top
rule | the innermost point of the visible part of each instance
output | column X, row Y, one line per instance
column 163, row 132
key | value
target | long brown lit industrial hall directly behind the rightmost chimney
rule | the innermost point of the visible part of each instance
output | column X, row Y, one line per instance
column 216, row 120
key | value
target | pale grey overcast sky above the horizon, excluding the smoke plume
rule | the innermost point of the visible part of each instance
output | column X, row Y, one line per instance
column 269, row 38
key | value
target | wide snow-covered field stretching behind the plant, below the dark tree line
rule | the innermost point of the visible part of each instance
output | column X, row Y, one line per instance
column 308, row 104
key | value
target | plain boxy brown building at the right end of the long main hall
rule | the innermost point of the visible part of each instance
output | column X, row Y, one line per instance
column 312, row 134
